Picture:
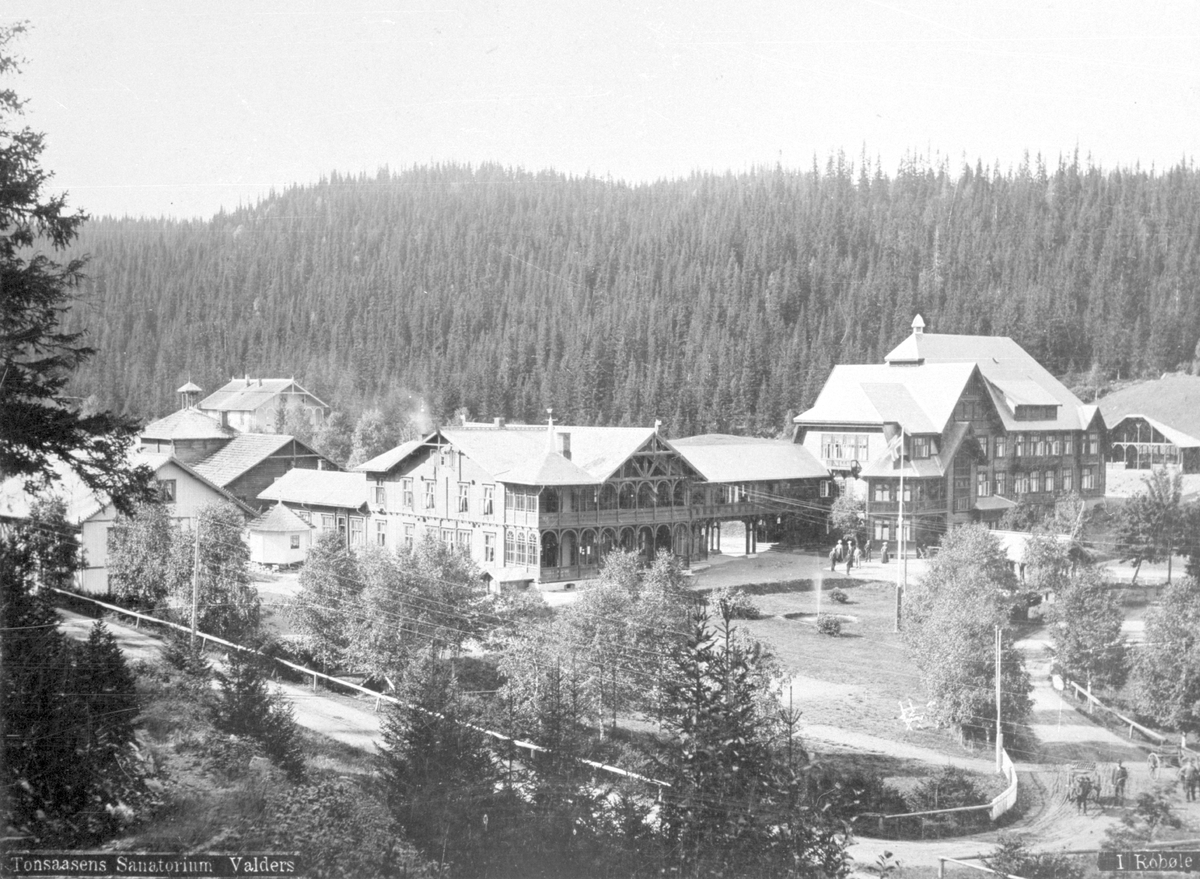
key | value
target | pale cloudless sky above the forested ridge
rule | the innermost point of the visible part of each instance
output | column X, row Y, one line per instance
column 187, row 109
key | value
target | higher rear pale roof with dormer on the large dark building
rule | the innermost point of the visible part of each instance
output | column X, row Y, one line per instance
column 1013, row 376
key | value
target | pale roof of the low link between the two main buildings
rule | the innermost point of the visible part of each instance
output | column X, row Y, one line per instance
column 722, row 458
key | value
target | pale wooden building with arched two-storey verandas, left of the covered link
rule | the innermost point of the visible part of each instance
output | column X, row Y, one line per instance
column 545, row 505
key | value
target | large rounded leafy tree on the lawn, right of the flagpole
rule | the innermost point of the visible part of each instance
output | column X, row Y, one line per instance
column 950, row 621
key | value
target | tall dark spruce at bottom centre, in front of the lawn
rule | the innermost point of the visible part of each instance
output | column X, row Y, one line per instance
column 737, row 803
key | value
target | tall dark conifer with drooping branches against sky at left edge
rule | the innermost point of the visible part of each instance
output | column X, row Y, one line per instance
column 41, row 429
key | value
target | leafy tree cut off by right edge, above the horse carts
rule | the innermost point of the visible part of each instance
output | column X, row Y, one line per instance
column 1167, row 671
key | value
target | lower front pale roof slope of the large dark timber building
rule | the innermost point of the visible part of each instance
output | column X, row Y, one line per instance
column 920, row 398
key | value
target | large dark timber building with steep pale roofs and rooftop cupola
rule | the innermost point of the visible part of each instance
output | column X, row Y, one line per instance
column 968, row 426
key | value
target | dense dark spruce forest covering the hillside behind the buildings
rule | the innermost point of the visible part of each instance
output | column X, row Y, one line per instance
column 717, row 303
